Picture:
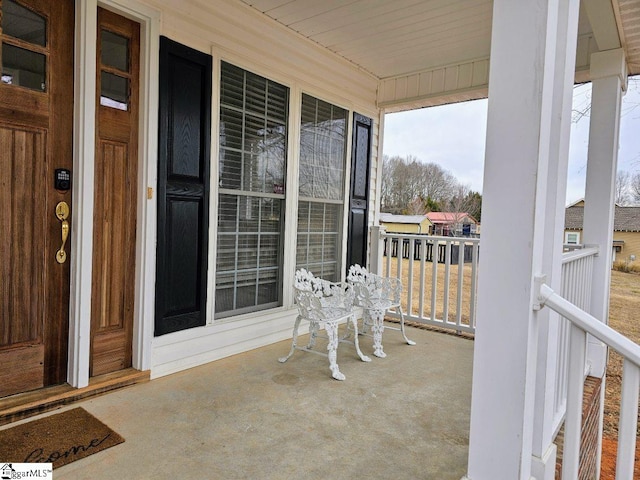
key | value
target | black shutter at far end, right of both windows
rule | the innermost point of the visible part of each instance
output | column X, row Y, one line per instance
column 359, row 193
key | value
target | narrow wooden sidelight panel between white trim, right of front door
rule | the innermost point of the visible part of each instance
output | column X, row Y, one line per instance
column 115, row 202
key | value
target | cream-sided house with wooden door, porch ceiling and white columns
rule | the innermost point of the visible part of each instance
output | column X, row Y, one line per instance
column 167, row 165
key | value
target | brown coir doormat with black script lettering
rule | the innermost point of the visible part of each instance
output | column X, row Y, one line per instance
column 59, row 439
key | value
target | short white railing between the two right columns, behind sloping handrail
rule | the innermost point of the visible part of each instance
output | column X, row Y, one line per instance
column 576, row 279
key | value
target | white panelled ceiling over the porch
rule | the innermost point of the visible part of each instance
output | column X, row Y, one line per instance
column 400, row 37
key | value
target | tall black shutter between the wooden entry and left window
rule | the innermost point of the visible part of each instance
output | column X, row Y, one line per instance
column 184, row 143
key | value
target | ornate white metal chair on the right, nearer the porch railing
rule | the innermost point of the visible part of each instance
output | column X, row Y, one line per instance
column 376, row 295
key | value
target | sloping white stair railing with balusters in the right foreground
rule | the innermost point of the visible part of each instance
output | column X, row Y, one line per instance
column 581, row 324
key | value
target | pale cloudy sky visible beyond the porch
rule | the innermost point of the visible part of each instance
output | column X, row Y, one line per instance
column 453, row 136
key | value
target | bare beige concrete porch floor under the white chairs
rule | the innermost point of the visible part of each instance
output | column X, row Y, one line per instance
column 251, row 417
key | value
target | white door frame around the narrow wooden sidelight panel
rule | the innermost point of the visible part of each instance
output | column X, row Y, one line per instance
column 83, row 176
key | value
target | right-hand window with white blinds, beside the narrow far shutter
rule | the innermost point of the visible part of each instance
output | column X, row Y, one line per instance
column 323, row 145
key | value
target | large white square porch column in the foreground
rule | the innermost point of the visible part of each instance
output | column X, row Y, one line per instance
column 525, row 156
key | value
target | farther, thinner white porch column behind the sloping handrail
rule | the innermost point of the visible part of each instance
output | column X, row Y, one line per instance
column 609, row 76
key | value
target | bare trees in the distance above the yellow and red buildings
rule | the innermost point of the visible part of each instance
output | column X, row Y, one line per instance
column 412, row 187
